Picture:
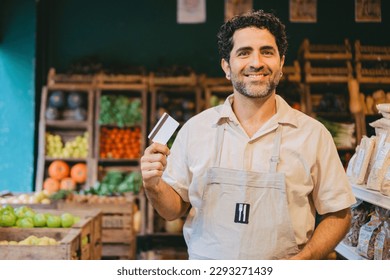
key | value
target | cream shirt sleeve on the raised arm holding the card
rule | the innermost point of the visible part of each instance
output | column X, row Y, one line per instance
column 177, row 173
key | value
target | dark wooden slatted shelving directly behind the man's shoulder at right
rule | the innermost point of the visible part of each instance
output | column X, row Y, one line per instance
column 327, row 70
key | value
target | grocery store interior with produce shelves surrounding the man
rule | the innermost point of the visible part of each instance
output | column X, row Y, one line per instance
column 82, row 83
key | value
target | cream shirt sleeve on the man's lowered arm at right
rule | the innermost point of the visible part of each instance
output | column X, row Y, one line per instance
column 332, row 191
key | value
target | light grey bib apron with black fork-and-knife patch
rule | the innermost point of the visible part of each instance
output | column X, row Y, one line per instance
column 243, row 214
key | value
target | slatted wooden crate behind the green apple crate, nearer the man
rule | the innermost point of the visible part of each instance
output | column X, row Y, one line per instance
column 118, row 236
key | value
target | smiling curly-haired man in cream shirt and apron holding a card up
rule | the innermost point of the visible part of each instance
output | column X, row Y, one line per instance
column 254, row 171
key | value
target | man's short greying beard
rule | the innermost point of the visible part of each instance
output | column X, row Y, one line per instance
column 255, row 89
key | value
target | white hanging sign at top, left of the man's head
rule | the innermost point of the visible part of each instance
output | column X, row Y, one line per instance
column 191, row 11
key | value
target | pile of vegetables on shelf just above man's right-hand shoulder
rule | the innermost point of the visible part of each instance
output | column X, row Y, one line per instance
column 343, row 133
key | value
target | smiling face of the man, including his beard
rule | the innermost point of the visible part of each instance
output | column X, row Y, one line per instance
column 255, row 66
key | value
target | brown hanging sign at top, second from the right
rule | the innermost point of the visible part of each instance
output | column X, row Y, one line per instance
column 303, row 10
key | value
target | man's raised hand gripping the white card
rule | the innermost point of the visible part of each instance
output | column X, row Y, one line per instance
column 153, row 163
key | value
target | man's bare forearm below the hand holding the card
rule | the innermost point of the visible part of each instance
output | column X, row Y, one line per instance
column 166, row 201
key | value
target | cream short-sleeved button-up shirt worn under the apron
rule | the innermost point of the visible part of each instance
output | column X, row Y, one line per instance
column 315, row 177
